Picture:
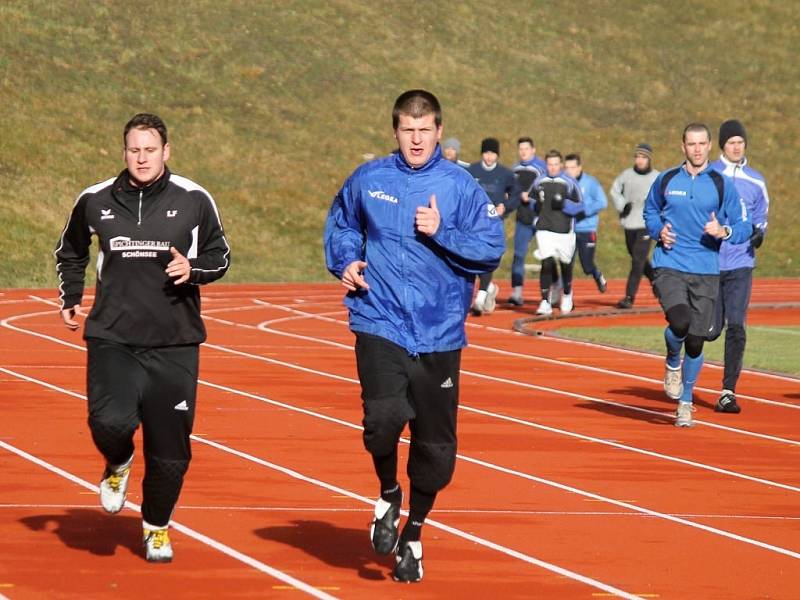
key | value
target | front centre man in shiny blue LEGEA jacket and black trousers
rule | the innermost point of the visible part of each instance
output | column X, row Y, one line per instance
column 407, row 234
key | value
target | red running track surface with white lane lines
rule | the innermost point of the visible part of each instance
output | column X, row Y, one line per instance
column 572, row 481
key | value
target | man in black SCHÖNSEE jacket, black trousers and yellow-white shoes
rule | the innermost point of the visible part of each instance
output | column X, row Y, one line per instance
column 159, row 236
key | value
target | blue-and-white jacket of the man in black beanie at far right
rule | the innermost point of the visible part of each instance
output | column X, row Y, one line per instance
column 752, row 187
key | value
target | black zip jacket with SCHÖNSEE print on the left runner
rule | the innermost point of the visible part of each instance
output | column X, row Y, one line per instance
column 136, row 302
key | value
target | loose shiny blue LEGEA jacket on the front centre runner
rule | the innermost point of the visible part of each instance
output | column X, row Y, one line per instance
column 420, row 287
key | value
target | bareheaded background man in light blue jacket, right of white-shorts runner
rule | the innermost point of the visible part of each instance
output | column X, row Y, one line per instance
column 594, row 200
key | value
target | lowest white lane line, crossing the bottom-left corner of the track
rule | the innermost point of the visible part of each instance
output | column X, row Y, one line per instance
column 188, row 531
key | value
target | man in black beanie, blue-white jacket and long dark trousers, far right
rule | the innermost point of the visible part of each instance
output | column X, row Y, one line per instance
column 736, row 262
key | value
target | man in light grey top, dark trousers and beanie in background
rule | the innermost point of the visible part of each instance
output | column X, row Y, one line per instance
column 628, row 193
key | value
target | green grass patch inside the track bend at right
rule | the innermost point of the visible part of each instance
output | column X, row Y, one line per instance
column 772, row 348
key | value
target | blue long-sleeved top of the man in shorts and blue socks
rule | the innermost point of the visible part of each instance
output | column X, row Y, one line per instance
column 687, row 204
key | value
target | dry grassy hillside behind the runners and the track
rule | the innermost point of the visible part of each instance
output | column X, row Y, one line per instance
column 272, row 104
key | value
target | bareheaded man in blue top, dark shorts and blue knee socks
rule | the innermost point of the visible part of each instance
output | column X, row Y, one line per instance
column 683, row 212
